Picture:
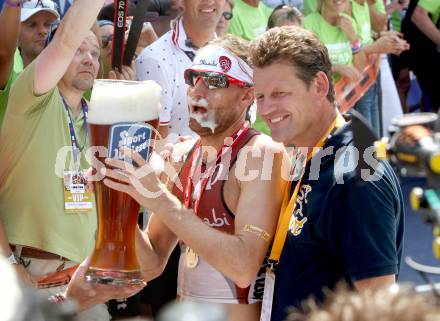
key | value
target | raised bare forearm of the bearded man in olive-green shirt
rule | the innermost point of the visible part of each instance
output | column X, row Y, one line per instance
column 53, row 62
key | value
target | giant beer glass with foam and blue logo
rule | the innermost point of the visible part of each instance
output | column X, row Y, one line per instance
column 121, row 113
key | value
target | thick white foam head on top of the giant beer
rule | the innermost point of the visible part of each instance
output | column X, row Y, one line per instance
column 124, row 101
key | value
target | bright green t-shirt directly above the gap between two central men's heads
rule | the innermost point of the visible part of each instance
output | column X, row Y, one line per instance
column 249, row 22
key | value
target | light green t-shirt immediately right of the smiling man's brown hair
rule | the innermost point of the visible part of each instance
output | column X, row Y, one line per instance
column 336, row 41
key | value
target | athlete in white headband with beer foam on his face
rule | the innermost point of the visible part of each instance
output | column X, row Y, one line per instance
column 222, row 208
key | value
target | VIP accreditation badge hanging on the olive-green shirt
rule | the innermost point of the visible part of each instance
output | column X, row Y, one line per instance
column 77, row 194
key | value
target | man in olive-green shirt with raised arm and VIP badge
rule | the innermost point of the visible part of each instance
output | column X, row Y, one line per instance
column 49, row 217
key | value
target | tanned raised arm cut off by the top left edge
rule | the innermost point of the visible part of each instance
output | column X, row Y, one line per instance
column 10, row 21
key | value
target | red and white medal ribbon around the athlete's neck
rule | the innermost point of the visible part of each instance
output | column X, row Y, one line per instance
column 230, row 142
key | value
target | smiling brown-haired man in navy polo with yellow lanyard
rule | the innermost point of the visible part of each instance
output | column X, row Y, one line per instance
column 332, row 227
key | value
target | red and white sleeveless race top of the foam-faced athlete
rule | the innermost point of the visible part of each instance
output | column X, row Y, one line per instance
column 203, row 282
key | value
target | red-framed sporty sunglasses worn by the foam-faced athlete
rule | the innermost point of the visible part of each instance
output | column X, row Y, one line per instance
column 212, row 80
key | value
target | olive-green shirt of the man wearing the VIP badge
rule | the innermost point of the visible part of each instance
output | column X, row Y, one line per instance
column 35, row 130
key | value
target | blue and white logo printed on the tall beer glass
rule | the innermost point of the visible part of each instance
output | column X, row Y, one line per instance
column 132, row 135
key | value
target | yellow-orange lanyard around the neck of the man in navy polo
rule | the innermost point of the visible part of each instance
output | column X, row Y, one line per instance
column 289, row 206
